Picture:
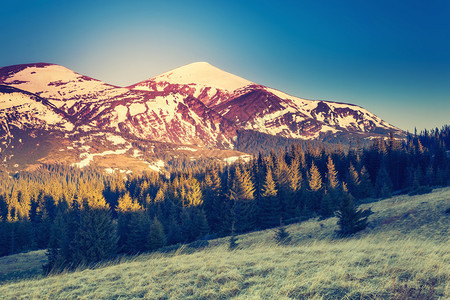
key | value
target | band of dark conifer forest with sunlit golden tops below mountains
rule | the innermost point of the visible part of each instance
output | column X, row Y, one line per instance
column 83, row 216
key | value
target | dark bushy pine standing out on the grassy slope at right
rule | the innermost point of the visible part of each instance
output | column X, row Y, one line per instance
column 350, row 218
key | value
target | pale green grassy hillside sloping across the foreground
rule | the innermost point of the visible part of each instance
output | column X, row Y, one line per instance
column 404, row 254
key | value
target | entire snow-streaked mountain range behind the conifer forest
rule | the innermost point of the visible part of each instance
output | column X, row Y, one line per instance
column 197, row 107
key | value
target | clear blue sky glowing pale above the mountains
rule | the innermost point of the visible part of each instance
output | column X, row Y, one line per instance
column 391, row 57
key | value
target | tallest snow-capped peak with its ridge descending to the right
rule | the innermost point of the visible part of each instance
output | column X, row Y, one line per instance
column 255, row 107
